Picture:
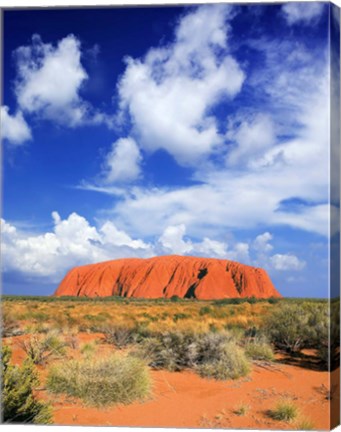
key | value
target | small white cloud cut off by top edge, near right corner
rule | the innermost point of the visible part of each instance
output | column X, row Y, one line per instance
column 302, row 12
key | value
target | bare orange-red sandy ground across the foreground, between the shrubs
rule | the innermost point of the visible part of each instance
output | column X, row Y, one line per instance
column 183, row 399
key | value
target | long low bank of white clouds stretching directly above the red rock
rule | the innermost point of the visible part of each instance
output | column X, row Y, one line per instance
column 74, row 241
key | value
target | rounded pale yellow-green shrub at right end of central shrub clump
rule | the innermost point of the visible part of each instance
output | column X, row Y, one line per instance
column 231, row 364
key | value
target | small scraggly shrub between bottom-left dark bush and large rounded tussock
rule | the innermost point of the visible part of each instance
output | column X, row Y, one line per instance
column 39, row 348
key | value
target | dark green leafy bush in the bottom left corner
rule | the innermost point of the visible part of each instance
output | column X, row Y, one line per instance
column 18, row 402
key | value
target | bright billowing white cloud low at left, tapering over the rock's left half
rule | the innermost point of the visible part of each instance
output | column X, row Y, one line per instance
column 72, row 241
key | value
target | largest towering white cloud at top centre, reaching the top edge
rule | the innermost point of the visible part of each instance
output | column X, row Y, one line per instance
column 169, row 93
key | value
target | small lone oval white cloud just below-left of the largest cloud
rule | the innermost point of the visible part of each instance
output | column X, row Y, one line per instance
column 122, row 163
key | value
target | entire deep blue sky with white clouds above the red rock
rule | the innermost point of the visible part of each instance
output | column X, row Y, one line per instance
column 166, row 130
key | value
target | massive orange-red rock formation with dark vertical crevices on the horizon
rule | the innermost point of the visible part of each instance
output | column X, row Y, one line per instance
column 167, row 276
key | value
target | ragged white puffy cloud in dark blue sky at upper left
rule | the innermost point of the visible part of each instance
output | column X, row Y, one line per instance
column 49, row 80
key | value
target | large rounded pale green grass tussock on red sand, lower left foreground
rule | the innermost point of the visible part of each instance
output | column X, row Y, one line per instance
column 101, row 382
